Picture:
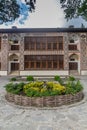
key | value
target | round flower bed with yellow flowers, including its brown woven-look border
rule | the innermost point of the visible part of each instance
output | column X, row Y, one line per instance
column 43, row 94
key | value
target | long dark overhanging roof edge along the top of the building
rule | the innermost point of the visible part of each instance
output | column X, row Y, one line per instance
column 38, row 30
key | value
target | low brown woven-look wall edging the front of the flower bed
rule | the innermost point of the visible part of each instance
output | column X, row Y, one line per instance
column 51, row 101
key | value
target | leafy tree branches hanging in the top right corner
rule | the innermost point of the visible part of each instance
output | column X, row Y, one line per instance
column 74, row 8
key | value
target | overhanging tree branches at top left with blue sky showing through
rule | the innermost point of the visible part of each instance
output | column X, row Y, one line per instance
column 13, row 9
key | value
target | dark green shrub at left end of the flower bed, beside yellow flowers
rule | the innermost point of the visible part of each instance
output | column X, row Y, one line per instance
column 14, row 88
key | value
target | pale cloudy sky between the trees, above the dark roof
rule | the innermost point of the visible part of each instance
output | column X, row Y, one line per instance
column 48, row 14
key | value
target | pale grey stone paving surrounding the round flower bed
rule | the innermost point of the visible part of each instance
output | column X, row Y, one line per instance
column 71, row 117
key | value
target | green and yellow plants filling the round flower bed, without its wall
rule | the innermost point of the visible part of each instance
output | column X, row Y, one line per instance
column 40, row 88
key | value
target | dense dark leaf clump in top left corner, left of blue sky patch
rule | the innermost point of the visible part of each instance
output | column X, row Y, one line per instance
column 9, row 11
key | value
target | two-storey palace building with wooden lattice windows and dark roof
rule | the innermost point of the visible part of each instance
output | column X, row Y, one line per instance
column 43, row 51
